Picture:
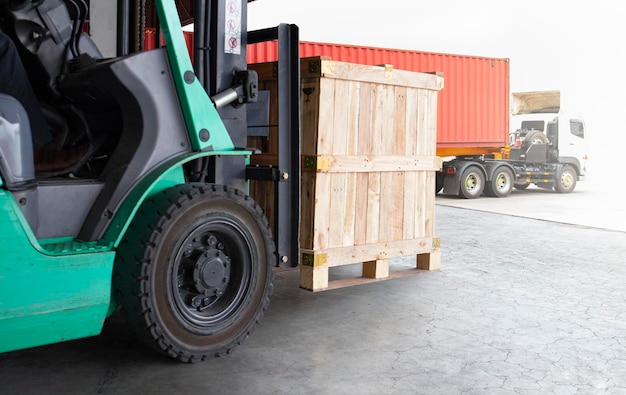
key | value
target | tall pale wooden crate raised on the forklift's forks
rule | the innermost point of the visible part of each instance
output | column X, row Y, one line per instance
column 368, row 167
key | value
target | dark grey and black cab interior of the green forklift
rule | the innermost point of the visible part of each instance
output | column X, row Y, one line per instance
column 126, row 109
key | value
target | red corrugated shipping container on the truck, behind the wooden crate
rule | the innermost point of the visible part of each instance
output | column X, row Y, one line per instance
column 473, row 108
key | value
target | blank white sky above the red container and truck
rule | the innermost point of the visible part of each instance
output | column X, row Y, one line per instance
column 577, row 47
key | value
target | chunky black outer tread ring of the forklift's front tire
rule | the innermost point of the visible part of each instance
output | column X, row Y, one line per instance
column 130, row 271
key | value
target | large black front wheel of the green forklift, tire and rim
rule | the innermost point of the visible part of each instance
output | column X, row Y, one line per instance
column 193, row 273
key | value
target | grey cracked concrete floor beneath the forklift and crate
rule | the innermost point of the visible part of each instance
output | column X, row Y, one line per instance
column 519, row 306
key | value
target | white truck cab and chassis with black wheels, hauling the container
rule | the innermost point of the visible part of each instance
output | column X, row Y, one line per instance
column 546, row 147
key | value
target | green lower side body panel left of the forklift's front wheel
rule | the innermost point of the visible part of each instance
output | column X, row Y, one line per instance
column 48, row 297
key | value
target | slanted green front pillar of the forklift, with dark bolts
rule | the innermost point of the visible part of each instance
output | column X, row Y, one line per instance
column 198, row 109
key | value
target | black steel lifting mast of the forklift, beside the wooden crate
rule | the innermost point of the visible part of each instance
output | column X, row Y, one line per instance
column 220, row 67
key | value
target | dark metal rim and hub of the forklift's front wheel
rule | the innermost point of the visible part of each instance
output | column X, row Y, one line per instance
column 211, row 273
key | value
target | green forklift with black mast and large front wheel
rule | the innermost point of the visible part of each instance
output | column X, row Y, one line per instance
column 156, row 222
